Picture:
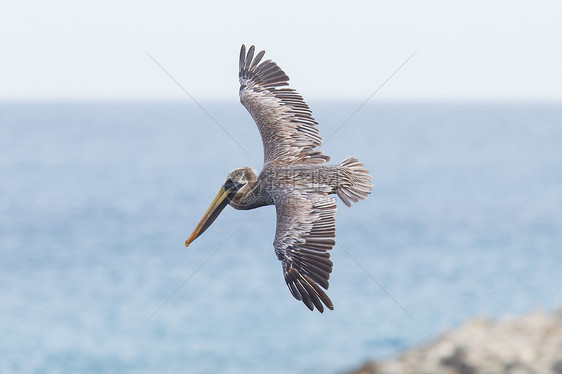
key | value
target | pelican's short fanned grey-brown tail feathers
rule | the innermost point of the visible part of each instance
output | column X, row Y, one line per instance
column 354, row 183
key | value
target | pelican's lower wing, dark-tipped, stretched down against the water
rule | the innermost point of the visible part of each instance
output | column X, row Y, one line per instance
column 306, row 229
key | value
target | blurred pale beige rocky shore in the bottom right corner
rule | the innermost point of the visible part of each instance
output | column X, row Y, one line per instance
column 525, row 345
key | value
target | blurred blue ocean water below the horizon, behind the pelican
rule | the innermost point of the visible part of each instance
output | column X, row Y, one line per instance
column 97, row 199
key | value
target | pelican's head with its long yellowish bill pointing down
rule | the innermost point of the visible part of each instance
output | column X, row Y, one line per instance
column 234, row 187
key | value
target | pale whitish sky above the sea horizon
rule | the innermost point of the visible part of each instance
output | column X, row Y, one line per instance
column 95, row 50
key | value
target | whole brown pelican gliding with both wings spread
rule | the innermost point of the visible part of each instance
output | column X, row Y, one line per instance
column 294, row 179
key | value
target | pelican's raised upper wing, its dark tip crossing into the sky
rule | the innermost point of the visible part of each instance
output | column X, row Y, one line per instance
column 285, row 122
